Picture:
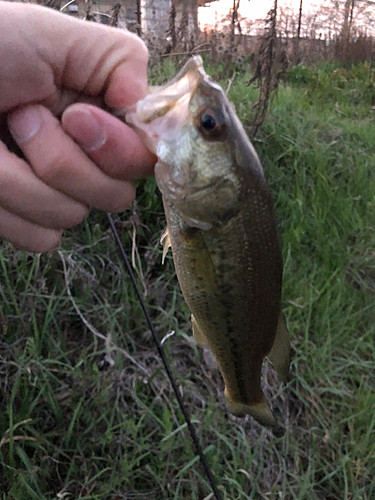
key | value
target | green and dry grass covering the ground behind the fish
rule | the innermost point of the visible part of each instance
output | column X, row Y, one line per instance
column 86, row 409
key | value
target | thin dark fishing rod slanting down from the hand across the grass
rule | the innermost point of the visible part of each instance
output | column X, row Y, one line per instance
column 160, row 349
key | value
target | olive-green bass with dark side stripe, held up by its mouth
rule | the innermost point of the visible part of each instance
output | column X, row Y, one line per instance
column 222, row 230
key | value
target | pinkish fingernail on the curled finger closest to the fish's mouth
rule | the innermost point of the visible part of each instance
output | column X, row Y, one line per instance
column 84, row 128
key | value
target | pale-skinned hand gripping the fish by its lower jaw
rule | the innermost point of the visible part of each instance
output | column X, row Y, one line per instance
column 60, row 151
